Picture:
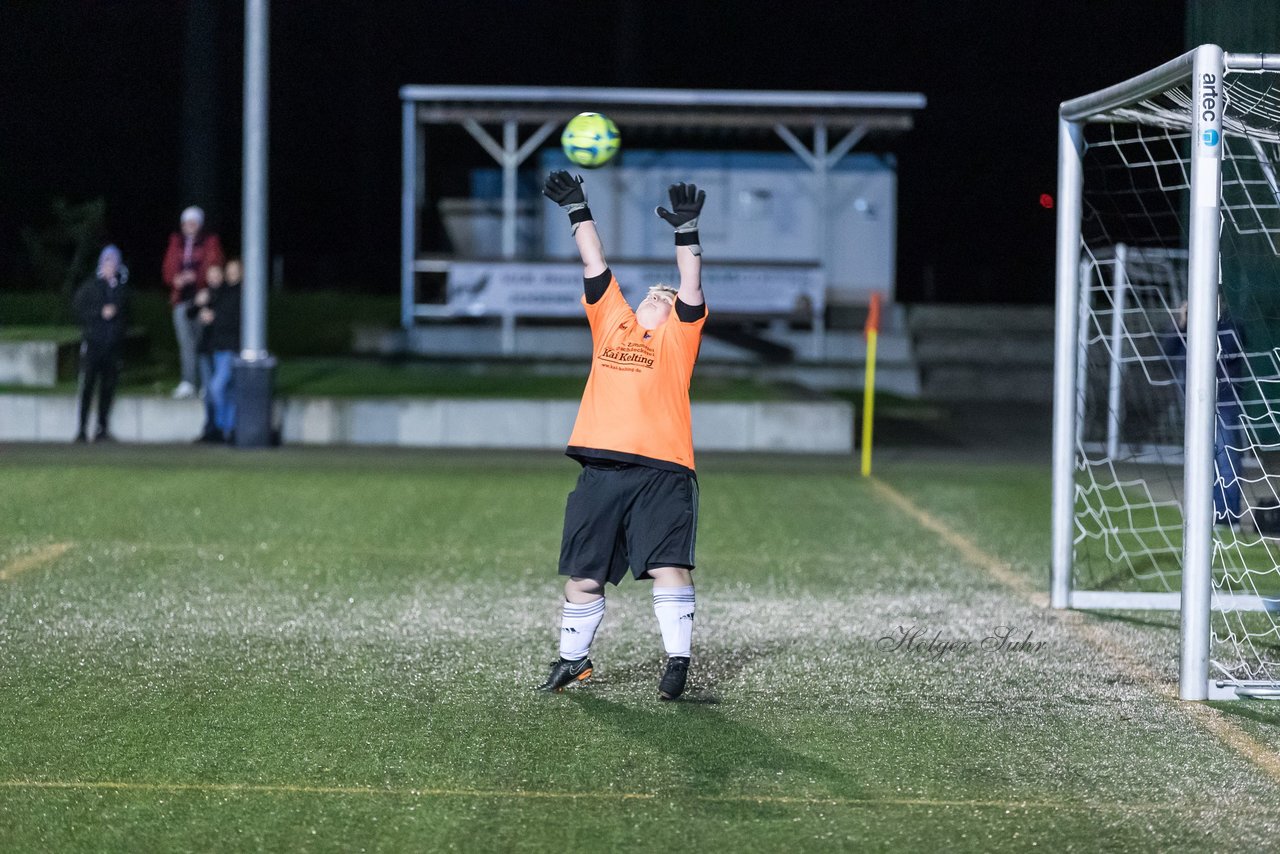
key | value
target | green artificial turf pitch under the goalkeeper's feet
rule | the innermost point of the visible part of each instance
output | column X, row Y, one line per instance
column 319, row 650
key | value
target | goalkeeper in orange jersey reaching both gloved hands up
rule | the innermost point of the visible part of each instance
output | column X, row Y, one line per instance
column 637, row 499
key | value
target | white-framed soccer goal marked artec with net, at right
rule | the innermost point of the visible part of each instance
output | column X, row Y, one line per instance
column 1167, row 427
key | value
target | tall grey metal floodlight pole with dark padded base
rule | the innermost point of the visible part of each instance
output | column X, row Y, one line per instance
column 255, row 368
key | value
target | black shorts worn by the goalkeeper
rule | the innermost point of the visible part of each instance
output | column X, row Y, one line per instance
column 629, row 515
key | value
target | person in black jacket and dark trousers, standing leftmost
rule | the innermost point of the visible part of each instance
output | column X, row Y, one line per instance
column 102, row 307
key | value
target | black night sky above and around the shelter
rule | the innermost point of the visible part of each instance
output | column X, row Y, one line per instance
column 94, row 90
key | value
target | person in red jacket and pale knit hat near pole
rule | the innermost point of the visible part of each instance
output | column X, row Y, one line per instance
column 191, row 253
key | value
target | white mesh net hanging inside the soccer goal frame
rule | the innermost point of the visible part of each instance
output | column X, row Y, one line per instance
column 1132, row 366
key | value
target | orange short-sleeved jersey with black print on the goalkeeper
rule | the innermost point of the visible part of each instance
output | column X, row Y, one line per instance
column 636, row 408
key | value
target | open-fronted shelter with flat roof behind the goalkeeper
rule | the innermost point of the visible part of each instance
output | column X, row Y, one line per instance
column 838, row 200
